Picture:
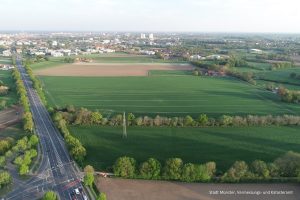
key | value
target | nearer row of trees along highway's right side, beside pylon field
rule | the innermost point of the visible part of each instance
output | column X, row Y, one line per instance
column 76, row 149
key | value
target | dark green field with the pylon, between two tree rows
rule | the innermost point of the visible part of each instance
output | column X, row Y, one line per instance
column 223, row 145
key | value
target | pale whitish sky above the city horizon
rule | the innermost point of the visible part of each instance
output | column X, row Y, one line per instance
column 151, row 15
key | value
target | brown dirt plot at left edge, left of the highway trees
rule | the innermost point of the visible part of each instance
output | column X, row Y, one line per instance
column 10, row 117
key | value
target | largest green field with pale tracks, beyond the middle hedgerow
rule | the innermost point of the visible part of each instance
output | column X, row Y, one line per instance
column 164, row 95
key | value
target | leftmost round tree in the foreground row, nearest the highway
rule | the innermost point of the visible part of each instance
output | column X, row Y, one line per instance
column 125, row 167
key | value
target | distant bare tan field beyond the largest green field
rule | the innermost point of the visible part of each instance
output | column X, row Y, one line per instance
column 109, row 70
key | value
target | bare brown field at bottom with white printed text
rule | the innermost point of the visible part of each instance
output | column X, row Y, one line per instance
column 124, row 189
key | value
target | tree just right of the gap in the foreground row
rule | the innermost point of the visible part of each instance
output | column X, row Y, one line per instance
column 238, row 170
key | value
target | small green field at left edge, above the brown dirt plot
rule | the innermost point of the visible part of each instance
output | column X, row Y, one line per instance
column 11, row 98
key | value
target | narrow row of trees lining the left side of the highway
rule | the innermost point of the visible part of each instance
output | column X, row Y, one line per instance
column 27, row 116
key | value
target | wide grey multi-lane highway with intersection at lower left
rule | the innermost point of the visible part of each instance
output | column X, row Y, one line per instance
column 56, row 169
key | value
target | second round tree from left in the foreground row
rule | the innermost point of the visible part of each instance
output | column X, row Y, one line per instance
column 150, row 169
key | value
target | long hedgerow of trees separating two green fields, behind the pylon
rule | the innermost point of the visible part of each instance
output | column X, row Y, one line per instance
column 84, row 116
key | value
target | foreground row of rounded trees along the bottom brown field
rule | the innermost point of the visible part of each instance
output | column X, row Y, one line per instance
column 284, row 167
